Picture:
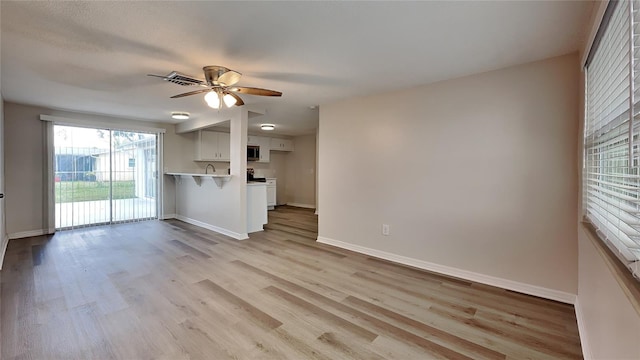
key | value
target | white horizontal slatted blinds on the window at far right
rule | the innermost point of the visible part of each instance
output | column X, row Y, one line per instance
column 611, row 181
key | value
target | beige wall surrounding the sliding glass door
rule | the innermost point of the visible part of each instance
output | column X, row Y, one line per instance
column 25, row 148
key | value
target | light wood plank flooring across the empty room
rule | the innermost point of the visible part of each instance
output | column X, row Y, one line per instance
column 170, row 290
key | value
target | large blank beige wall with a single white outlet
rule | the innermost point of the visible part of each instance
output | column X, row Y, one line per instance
column 476, row 174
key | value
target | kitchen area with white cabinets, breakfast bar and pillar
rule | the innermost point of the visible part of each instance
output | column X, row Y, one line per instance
column 219, row 170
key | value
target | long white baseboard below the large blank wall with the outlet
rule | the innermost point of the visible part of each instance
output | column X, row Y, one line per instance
column 528, row 289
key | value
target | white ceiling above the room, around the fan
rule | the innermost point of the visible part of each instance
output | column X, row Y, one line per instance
column 94, row 56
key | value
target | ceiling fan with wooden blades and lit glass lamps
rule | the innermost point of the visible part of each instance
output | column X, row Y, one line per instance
column 218, row 84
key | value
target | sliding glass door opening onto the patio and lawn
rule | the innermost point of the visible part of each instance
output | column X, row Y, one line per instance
column 104, row 176
